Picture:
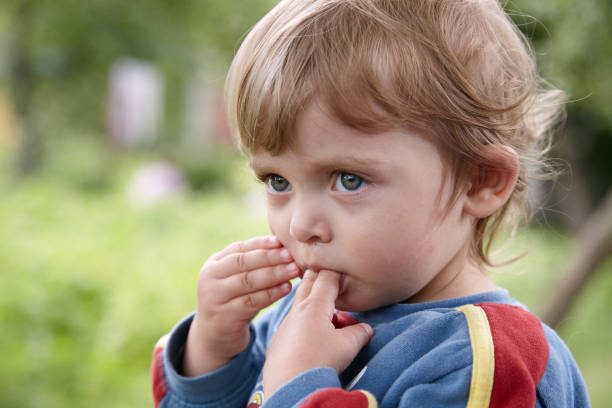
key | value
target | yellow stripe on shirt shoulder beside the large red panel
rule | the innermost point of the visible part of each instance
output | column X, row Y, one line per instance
column 483, row 366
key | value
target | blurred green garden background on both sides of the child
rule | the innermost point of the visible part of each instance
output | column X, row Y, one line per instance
column 97, row 261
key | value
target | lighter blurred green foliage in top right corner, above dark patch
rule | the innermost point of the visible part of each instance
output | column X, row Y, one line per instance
column 573, row 44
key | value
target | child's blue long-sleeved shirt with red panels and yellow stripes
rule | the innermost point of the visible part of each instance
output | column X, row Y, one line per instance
column 480, row 350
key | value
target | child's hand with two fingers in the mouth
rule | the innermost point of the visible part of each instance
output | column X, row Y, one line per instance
column 307, row 338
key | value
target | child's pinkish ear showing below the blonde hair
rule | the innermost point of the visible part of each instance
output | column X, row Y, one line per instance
column 493, row 183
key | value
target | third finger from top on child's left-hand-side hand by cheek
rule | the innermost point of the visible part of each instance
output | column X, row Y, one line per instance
column 259, row 279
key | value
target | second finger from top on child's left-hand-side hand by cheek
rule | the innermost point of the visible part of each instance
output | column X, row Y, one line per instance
column 248, row 261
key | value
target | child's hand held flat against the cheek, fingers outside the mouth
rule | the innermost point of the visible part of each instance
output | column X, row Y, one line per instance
column 233, row 286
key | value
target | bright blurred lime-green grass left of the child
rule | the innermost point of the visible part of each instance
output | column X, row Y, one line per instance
column 91, row 281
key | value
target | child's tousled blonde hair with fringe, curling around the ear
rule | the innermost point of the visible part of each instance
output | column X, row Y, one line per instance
column 457, row 70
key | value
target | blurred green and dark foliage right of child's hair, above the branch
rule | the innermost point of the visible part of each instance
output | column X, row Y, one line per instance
column 572, row 40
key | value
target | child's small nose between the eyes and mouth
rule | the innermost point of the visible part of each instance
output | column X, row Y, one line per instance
column 309, row 221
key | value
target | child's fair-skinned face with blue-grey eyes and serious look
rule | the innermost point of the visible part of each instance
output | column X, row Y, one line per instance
column 370, row 207
